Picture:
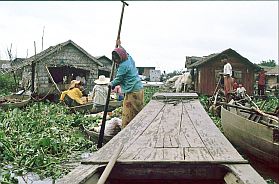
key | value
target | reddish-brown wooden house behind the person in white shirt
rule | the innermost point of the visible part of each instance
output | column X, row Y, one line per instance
column 205, row 71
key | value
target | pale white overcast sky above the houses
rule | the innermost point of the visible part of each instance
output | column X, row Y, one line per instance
column 155, row 33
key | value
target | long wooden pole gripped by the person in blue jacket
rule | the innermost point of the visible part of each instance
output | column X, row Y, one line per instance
column 101, row 135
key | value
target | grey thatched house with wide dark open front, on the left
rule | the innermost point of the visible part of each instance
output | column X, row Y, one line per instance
column 64, row 62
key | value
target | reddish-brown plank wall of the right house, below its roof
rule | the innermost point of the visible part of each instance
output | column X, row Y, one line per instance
column 208, row 74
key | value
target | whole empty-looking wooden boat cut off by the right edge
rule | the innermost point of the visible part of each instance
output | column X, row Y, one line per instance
column 254, row 133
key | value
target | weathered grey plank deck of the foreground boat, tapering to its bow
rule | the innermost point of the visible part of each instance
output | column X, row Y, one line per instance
column 172, row 128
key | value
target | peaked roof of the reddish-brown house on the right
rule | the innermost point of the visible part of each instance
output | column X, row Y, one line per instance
column 192, row 62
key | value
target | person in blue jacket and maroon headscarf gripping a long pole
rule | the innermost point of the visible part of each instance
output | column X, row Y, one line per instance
column 127, row 77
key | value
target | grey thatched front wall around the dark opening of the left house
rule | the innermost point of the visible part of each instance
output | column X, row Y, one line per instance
column 67, row 56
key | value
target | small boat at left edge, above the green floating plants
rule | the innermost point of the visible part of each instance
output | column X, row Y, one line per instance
column 13, row 101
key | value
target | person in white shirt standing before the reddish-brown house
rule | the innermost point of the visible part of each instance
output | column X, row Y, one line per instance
column 228, row 81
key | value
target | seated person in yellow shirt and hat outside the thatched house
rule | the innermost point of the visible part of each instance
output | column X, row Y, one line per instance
column 73, row 96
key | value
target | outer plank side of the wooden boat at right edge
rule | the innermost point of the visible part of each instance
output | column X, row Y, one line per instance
column 257, row 140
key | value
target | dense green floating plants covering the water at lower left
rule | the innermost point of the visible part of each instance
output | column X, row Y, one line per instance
column 41, row 139
